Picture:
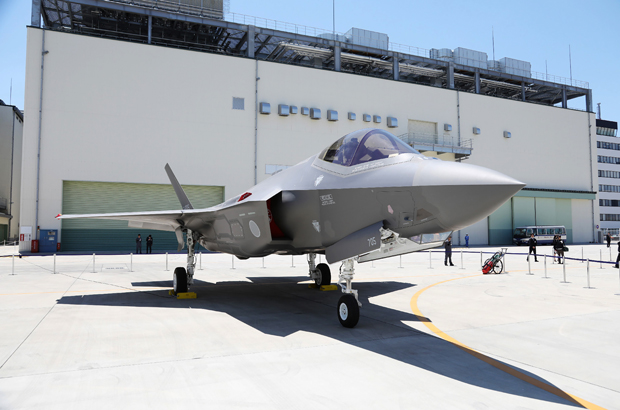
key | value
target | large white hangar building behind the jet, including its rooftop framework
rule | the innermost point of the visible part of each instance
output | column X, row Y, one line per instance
column 117, row 89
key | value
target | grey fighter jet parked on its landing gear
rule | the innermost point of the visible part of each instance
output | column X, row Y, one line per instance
column 367, row 196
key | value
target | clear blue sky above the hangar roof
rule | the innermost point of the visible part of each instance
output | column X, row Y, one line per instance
column 536, row 31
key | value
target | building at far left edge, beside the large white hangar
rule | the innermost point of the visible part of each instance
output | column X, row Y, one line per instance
column 11, row 132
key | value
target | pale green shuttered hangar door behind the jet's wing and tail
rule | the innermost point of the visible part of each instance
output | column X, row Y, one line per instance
column 104, row 197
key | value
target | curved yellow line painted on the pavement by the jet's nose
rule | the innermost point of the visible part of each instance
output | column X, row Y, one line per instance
column 495, row 363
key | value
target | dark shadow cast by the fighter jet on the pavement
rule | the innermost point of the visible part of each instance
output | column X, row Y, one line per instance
column 280, row 306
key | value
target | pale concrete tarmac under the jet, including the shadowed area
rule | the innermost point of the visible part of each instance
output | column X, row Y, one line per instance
column 428, row 338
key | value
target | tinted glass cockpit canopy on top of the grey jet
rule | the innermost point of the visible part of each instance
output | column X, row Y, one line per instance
column 365, row 145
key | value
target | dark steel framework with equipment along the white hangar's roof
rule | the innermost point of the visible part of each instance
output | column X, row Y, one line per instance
column 204, row 25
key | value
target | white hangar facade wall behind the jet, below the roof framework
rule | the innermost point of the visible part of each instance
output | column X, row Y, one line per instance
column 113, row 113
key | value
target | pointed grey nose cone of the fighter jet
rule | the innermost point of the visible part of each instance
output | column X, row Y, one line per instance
column 462, row 194
